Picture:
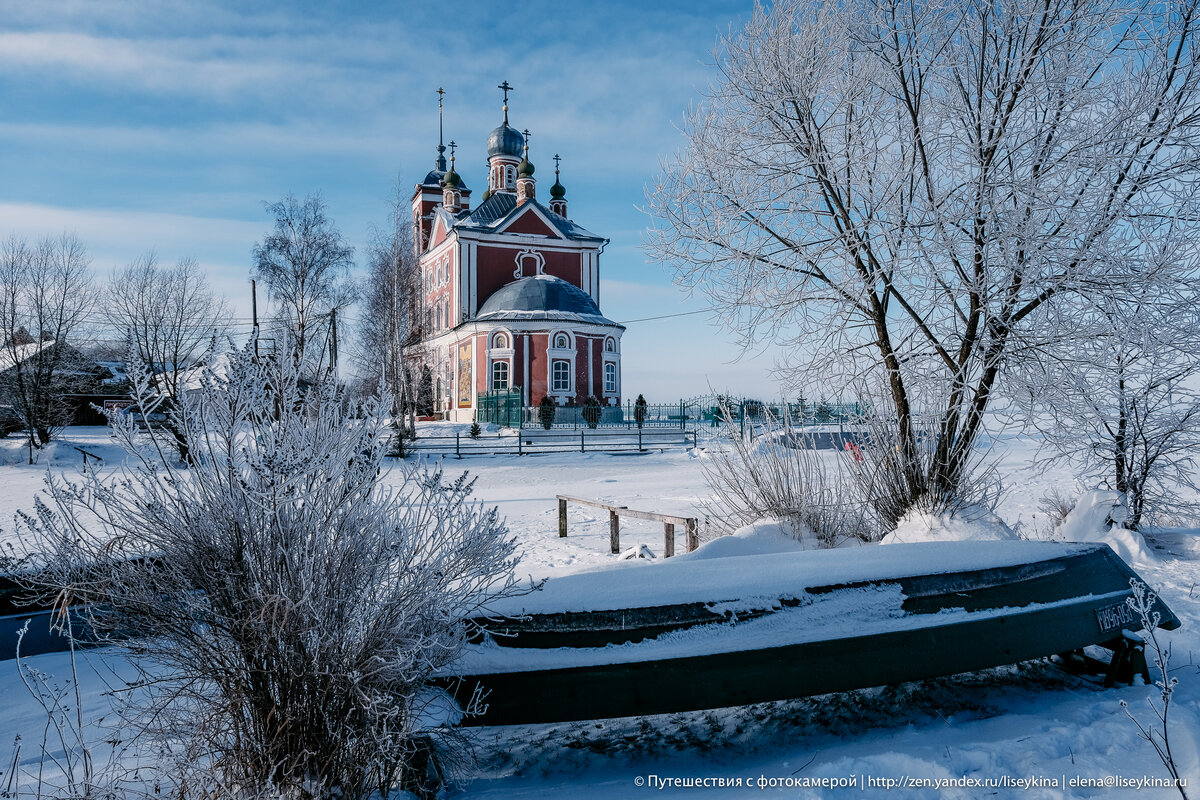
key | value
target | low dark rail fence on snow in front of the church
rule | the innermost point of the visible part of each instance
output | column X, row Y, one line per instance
column 535, row 441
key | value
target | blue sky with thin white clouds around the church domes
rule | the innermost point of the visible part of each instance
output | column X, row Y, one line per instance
column 167, row 125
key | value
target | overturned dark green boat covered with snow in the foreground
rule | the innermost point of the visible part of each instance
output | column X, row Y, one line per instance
column 689, row 635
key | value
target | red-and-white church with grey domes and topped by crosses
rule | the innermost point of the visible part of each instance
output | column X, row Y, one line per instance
column 509, row 291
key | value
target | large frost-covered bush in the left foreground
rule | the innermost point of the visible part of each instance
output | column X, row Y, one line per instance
column 284, row 605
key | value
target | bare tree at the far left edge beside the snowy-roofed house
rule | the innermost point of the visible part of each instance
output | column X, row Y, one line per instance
column 45, row 303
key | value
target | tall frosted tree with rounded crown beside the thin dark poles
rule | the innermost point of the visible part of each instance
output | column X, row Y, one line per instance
column 305, row 264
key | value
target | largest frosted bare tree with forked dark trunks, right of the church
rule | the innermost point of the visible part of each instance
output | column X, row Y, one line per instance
column 897, row 189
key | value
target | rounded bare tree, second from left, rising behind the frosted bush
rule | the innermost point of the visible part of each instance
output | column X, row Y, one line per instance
column 170, row 318
